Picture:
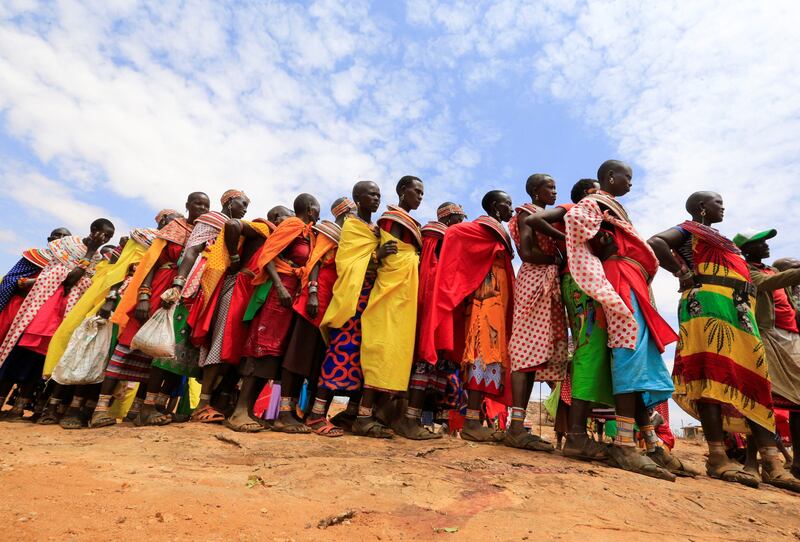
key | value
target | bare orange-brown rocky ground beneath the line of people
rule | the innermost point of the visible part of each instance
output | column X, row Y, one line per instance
column 204, row 482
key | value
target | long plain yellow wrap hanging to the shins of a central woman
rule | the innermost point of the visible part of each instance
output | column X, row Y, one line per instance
column 389, row 323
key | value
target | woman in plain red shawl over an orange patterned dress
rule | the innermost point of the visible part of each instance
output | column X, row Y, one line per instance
column 473, row 296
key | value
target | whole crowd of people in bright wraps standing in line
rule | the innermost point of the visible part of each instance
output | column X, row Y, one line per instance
column 376, row 308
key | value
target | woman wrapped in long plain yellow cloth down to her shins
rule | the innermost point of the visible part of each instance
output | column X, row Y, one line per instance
column 389, row 322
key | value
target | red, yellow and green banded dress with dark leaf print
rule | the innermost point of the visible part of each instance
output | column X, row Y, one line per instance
column 720, row 357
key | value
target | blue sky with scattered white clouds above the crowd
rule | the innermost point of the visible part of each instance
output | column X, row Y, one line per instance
column 119, row 108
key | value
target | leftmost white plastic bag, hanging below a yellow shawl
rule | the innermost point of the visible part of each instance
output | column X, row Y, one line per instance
column 84, row 359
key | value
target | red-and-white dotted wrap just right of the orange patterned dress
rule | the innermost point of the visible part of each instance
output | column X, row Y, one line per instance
column 539, row 330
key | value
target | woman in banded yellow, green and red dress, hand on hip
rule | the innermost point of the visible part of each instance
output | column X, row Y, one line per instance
column 720, row 371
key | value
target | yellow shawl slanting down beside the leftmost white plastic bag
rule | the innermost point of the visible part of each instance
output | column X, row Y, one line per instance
column 106, row 276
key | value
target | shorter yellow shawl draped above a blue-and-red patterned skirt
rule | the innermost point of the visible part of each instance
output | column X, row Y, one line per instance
column 356, row 245
